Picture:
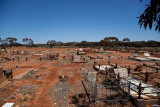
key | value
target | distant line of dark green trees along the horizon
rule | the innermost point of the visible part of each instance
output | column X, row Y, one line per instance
column 106, row 42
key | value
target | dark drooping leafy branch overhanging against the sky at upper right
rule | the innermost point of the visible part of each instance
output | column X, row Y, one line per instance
column 151, row 16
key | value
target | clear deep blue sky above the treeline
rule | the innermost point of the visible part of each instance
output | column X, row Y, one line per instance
column 73, row 20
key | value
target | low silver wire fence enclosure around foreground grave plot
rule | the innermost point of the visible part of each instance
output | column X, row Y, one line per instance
column 106, row 91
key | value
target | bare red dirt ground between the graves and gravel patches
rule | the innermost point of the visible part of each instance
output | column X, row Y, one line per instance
column 48, row 72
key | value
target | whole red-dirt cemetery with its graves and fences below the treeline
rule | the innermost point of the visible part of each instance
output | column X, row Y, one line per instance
column 58, row 82
